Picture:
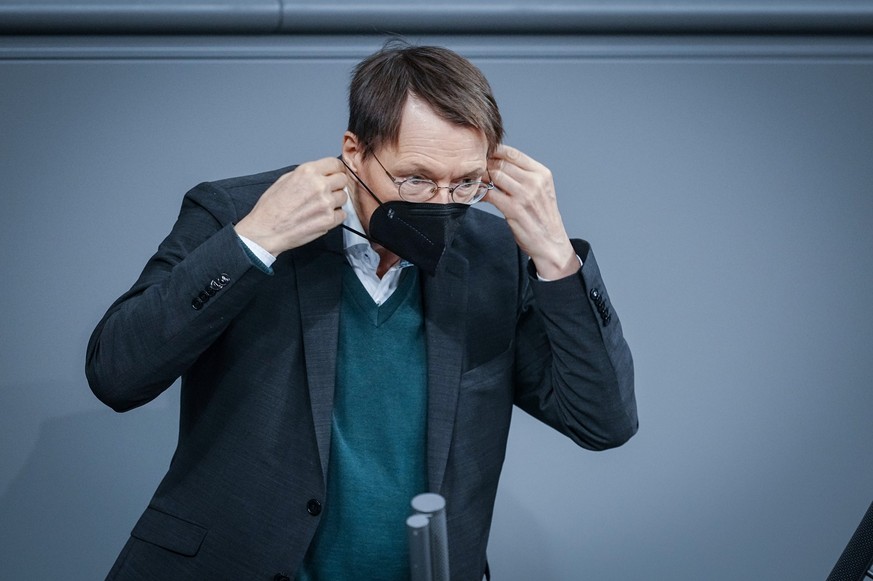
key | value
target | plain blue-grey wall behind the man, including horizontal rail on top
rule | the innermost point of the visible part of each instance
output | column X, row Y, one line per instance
column 724, row 181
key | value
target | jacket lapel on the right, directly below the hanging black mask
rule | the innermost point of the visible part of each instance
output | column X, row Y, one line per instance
column 445, row 308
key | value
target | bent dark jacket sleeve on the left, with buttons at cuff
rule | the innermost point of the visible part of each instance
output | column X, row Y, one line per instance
column 187, row 294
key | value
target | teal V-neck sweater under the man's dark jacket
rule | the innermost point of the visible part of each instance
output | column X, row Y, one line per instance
column 378, row 435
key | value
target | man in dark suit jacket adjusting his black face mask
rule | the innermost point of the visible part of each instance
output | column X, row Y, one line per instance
column 350, row 333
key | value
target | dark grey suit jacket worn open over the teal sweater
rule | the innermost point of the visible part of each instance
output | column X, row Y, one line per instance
column 257, row 356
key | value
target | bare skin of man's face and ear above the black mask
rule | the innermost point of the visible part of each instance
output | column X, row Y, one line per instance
column 428, row 147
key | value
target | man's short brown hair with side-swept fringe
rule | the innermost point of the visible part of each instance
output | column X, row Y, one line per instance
column 454, row 88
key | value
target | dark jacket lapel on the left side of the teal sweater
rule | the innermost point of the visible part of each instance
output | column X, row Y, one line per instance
column 319, row 288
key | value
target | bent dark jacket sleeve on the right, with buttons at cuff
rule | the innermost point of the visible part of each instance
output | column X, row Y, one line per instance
column 574, row 369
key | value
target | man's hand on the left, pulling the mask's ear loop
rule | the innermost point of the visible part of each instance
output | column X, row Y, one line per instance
column 299, row 207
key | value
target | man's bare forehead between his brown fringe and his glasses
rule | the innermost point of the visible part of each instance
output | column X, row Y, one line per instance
column 426, row 141
